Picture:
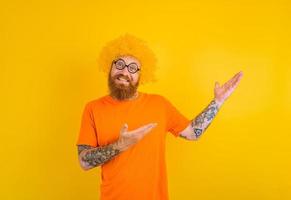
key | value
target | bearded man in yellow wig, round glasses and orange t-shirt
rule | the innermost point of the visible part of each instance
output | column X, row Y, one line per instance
column 124, row 132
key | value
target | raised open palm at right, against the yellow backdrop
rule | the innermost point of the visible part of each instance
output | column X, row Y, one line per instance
column 221, row 93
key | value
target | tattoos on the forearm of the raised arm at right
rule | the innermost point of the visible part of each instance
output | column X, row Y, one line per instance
column 203, row 120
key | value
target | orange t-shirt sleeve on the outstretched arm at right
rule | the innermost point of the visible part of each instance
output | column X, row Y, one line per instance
column 176, row 121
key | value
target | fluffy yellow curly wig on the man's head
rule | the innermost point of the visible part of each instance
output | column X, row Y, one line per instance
column 132, row 46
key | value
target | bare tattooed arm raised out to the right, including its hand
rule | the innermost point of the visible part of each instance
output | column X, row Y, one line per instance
column 198, row 125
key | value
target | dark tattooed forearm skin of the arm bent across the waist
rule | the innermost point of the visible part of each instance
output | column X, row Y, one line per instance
column 93, row 157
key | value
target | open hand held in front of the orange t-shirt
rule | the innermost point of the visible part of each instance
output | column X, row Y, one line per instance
column 129, row 138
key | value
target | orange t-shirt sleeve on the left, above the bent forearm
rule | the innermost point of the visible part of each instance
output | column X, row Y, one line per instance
column 87, row 132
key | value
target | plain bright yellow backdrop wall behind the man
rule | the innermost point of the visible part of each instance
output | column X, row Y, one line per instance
column 48, row 72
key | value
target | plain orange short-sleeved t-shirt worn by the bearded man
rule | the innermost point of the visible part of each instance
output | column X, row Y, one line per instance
column 140, row 171
